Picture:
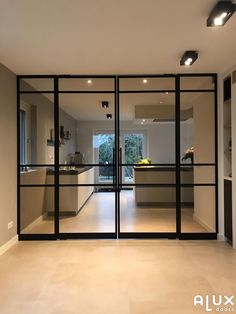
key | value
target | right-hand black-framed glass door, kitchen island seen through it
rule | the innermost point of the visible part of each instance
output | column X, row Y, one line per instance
column 147, row 164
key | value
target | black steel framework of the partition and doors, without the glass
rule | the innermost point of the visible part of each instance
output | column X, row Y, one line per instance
column 117, row 182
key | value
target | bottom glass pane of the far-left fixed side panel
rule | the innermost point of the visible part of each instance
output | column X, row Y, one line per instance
column 37, row 210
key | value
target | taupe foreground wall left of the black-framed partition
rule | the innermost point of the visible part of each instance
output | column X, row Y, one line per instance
column 8, row 160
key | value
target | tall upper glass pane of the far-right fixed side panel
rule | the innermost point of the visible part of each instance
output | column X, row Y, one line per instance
column 197, row 111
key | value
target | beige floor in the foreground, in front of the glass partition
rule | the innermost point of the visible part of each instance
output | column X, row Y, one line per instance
column 114, row 277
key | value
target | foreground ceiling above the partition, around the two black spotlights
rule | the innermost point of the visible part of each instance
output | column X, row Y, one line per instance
column 112, row 36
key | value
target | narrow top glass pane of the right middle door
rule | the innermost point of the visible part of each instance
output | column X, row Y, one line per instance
column 147, row 83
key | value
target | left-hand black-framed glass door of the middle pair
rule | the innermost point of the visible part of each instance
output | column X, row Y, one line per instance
column 87, row 203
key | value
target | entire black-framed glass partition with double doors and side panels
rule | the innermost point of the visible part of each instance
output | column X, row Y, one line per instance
column 117, row 156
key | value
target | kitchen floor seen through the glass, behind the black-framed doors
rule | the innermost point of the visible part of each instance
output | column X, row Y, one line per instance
column 98, row 215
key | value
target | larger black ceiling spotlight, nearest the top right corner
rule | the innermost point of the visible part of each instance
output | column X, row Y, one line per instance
column 221, row 12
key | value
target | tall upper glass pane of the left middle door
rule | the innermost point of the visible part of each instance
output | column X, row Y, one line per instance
column 84, row 126
